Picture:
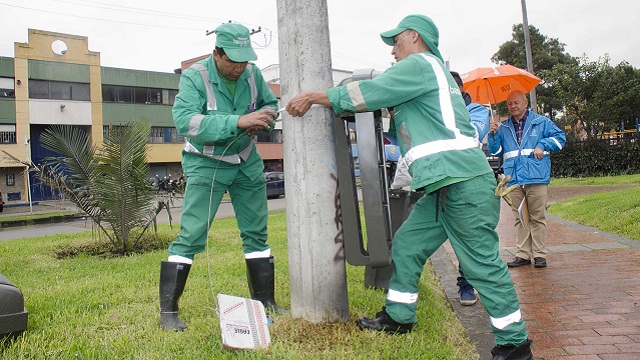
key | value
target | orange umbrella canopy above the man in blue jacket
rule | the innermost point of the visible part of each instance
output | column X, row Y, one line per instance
column 493, row 84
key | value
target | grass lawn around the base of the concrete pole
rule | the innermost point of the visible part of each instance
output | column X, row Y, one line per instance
column 87, row 307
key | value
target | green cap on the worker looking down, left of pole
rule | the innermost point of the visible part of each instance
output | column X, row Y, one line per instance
column 235, row 40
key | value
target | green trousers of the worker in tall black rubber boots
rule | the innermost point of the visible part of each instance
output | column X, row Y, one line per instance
column 249, row 200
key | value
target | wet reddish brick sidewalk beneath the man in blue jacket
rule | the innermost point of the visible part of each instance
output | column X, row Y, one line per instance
column 584, row 305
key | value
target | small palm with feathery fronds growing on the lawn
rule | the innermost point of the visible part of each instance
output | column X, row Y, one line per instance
column 110, row 184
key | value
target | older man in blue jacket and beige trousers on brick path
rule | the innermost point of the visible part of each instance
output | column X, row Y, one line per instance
column 525, row 140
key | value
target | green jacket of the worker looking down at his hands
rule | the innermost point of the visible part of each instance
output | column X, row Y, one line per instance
column 210, row 126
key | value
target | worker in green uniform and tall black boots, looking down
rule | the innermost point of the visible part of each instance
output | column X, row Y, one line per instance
column 222, row 102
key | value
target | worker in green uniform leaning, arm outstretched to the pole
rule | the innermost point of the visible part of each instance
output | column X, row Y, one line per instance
column 442, row 156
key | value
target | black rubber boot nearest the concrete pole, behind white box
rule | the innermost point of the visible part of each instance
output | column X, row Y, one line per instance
column 260, row 274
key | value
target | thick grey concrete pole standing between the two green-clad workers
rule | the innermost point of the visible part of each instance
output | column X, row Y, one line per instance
column 316, row 253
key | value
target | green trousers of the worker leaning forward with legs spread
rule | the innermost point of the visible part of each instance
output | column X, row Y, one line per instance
column 468, row 220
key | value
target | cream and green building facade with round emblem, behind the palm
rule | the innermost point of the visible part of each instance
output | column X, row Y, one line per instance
column 55, row 79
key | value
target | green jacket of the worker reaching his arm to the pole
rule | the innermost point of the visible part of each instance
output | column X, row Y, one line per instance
column 430, row 119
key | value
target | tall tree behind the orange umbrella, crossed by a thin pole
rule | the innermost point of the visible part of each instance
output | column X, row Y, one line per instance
column 546, row 53
